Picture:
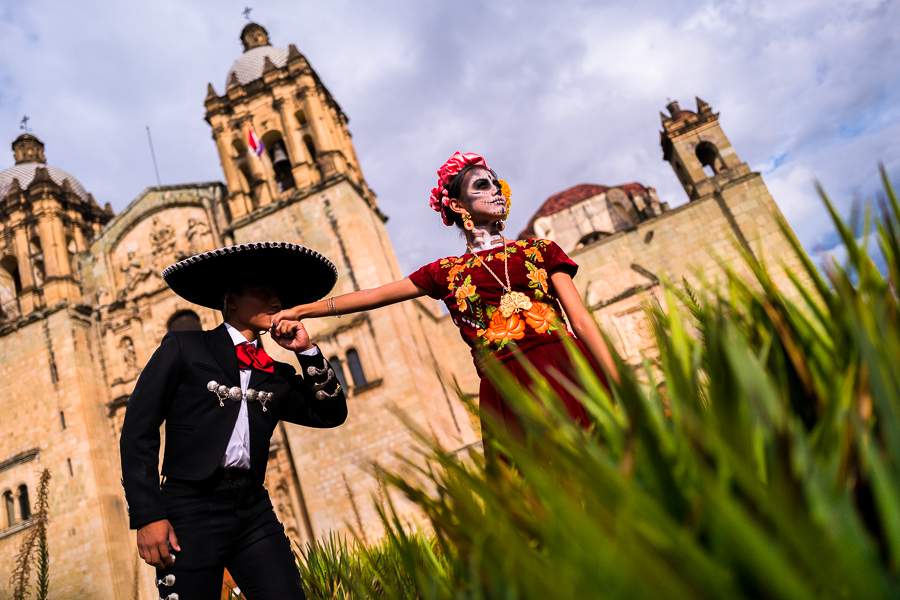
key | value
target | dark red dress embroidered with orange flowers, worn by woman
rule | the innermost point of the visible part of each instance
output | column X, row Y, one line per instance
column 473, row 296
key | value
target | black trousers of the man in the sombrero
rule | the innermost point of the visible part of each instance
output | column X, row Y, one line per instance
column 229, row 523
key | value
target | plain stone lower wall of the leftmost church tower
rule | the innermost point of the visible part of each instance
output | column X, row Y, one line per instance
column 86, row 507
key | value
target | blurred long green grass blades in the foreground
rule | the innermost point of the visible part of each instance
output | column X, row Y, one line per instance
column 768, row 465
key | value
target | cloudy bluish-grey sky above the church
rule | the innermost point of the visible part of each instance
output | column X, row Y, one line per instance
column 553, row 94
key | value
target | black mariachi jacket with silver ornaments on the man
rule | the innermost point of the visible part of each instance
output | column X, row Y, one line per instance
column 173, row 388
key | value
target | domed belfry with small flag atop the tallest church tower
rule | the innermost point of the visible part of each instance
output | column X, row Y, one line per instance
column 277, row 128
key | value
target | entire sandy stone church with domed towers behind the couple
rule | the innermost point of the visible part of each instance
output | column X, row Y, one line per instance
column 82, row 306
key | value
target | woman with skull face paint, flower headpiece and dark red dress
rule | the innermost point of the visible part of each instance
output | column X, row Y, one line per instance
column 501, row 294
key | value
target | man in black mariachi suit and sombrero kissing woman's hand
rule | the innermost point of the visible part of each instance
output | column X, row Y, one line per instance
column 221, row 396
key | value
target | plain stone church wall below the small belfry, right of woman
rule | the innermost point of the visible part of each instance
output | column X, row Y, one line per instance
column 617, row 274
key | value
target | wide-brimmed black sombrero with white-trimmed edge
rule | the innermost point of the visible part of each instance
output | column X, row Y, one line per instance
column 300, row 275
